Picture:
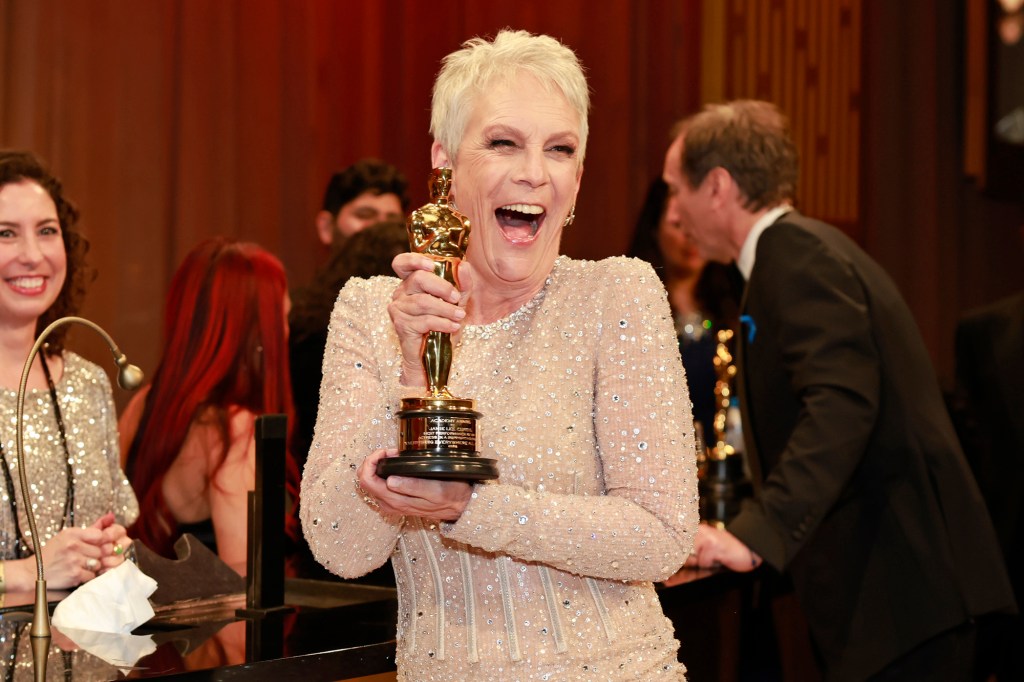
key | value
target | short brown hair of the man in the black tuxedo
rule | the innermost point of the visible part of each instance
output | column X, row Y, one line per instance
column 749, row 139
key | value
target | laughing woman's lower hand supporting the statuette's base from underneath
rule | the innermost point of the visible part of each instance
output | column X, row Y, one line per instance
column 404, row 496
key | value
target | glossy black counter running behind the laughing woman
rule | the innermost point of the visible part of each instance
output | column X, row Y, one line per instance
column 335, row 630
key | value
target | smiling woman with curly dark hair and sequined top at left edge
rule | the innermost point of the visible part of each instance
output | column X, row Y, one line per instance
column 82, row 509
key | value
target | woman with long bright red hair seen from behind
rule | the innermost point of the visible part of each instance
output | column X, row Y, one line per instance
column 192, row 432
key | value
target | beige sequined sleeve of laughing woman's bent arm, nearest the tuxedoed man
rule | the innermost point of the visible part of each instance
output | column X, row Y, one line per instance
column 636, row 520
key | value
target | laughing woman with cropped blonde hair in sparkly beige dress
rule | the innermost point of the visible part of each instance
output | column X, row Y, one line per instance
column 546, row 573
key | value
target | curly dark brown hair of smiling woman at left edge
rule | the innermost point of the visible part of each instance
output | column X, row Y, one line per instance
column 17, row 166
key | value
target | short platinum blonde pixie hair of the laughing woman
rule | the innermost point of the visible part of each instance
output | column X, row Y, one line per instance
column 468, row 72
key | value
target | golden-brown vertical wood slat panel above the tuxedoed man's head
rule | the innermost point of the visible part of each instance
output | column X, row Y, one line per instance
column 804, row 56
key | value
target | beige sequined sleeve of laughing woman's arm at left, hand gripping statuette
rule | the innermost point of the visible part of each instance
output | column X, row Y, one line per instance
column 346, row 532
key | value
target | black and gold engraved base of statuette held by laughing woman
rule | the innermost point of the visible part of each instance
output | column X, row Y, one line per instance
column 438, row 439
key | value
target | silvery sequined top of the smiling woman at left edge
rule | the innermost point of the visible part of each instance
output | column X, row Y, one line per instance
column 91, row 422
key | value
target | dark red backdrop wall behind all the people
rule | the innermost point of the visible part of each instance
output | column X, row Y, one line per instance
column 174, row 120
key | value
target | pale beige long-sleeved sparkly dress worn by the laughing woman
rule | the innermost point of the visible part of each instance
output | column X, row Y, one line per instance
column 547, row 575
